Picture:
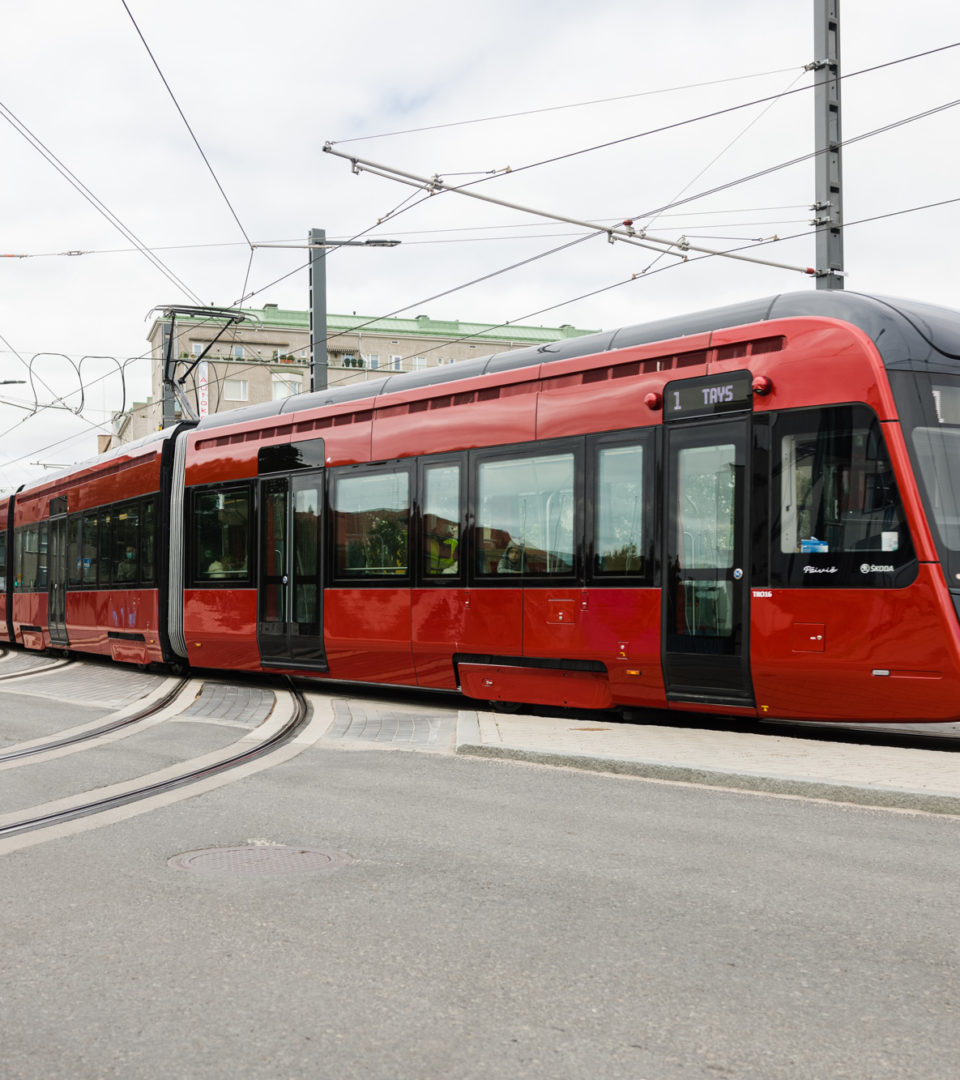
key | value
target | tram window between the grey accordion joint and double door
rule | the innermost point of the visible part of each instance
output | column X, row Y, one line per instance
column 222, row 535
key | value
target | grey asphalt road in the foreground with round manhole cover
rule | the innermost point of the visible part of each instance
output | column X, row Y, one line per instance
column 489, row 920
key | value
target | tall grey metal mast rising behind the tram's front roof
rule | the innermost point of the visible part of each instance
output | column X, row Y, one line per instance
column 829, row 208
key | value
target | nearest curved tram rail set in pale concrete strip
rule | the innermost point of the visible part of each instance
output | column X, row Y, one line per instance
column 151, row 787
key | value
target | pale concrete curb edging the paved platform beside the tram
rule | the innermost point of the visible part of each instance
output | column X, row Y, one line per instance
column 469, row 744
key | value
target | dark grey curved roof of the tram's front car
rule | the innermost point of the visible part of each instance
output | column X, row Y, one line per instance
column 910, row 335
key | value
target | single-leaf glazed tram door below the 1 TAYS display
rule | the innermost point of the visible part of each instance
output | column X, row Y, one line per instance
column 706, row 647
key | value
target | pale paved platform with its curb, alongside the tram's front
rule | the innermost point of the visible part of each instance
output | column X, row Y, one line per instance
column 845, row 772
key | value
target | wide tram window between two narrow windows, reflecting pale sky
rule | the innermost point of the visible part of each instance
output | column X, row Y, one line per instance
column 525, row 516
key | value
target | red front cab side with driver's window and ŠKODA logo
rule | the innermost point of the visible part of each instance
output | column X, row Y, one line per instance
column 851, row 620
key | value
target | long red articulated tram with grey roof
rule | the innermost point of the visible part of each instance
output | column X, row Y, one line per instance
column 753, row 510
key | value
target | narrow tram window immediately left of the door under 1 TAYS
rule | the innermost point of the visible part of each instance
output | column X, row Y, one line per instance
column 619, row 537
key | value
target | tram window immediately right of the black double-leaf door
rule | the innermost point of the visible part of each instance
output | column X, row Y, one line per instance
column 372, row 516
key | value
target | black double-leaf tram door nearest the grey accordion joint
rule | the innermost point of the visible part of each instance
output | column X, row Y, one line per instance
column 290, row 624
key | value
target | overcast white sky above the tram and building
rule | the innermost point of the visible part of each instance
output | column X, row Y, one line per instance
column 264, row 87
